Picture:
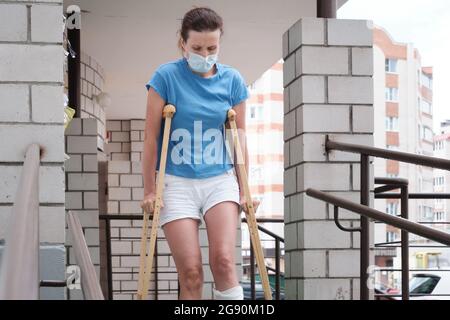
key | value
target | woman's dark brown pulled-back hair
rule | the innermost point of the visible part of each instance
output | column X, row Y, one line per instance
column 199, row 19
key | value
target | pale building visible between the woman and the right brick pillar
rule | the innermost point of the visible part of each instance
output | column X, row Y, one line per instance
column 264, row 132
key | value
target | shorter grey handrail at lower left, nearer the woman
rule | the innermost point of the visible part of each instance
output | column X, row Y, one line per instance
column 89, row 281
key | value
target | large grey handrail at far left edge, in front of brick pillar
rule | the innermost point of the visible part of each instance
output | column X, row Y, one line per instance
column 19, row 279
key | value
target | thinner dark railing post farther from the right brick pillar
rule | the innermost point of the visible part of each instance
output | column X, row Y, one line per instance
column 405, row 244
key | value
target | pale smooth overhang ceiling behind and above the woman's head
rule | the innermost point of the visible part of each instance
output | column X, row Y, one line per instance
column 130, row 39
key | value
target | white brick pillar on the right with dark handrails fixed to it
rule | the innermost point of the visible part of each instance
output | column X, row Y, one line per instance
column 328, row 90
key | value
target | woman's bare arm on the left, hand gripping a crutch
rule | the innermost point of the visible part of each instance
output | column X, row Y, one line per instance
column 155, row 105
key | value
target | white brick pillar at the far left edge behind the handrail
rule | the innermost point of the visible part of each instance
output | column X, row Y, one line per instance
column 32, row 111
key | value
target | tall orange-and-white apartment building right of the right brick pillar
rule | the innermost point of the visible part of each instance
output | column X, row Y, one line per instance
column 403, row 122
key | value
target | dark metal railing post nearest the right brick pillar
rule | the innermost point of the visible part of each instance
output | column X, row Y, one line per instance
column 364, row 221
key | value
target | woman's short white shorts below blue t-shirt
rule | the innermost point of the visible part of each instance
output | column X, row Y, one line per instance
column 191, row 198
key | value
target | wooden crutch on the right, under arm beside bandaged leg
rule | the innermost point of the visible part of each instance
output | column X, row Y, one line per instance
column 250, row 215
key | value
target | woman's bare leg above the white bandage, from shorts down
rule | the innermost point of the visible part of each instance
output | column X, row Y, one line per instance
column 221, row 225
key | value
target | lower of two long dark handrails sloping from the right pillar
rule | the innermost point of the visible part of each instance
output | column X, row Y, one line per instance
column 401, row 223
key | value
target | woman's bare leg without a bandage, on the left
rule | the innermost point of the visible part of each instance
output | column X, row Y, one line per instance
column 182, row 236
